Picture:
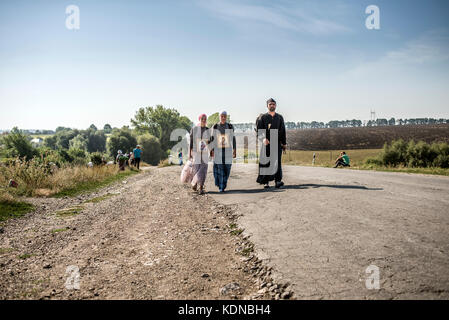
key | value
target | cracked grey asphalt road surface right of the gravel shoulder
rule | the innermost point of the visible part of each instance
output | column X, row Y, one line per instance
column 328, row 225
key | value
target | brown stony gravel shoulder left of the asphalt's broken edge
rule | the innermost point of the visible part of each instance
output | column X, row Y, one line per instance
column 148, row 237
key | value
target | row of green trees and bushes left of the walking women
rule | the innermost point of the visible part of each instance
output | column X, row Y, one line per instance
column 150, row 128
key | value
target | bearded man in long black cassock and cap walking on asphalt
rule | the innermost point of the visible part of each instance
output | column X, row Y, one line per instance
column 271, row 134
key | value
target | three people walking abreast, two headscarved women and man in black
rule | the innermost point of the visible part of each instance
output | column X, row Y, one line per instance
column 218, row 142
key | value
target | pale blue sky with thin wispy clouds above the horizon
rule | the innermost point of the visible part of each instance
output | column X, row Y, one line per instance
column 316, row 58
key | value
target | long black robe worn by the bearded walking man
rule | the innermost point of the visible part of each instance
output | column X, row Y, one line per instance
column 268, row 122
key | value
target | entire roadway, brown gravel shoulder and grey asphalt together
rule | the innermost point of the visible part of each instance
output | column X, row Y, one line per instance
column 150, row 237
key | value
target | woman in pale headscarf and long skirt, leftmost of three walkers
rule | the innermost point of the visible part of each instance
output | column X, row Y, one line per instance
column 199, row 139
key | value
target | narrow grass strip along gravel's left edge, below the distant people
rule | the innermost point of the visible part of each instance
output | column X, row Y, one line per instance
column 92, row 185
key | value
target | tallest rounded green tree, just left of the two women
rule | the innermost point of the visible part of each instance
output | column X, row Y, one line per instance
column 160, row 122
